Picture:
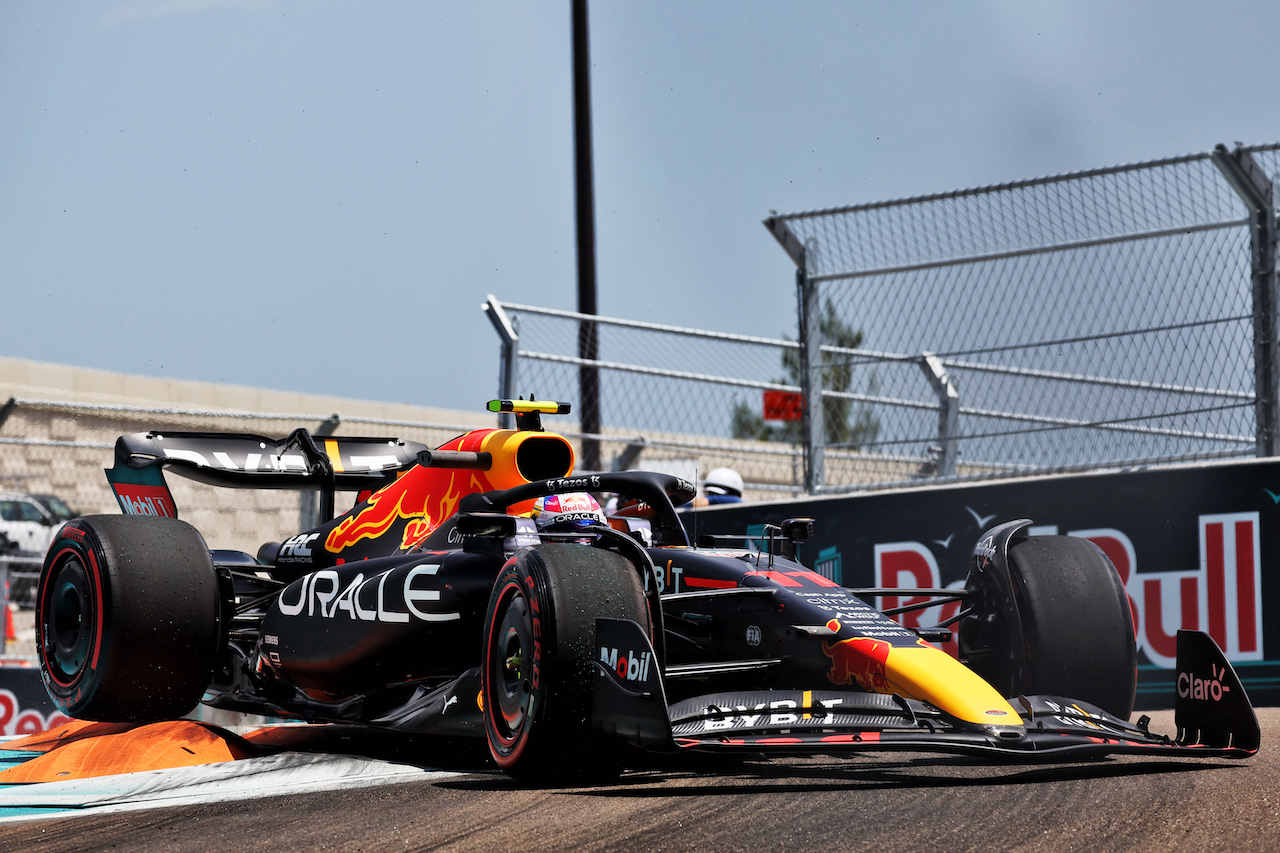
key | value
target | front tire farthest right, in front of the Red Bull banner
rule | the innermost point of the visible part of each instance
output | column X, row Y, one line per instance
column 1077, row 628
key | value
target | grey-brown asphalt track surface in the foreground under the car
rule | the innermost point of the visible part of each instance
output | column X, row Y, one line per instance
column 881, row 802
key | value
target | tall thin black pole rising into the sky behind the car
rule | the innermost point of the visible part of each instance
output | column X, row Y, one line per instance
column 588, row 344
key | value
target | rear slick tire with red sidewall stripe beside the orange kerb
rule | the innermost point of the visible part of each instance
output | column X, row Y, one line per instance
column 127, row 619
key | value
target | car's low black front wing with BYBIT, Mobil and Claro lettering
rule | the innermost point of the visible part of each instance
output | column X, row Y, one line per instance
column 1213, row 715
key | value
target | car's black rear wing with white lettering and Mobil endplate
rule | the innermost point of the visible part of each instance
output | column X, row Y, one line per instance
column 239, row 460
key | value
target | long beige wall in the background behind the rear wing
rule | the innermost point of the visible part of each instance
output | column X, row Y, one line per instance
column 60, row 437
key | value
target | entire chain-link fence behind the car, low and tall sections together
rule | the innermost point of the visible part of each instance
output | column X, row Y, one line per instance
column 1116, row 317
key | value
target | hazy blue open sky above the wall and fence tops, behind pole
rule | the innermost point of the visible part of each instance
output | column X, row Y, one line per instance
column 318, row 197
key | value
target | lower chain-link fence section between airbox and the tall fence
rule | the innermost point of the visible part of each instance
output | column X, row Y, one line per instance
column 673, row 399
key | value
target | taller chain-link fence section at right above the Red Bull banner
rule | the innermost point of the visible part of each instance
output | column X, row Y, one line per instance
column 1096, row 320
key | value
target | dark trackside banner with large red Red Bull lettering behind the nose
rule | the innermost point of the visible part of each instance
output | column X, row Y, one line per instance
column 1196, row 548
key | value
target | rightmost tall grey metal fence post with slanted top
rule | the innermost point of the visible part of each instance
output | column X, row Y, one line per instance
column 1255, row 189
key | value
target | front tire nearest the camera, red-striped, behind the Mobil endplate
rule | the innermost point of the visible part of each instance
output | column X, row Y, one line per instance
column 540, row 653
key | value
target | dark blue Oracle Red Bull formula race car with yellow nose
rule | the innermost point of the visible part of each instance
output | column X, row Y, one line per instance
column 438, row 605
